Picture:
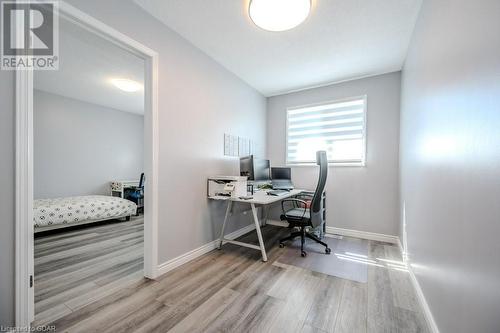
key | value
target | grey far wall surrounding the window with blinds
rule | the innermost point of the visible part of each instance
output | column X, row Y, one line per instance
column 359, row 198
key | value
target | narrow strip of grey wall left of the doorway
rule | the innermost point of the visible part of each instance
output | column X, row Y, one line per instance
column 7, row 197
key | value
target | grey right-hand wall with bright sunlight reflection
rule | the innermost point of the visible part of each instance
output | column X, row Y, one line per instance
column 450, row 162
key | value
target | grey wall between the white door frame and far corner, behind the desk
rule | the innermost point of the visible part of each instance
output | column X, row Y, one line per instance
column 199, row 100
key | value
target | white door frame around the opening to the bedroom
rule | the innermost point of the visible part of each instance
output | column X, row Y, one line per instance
column 24, row 294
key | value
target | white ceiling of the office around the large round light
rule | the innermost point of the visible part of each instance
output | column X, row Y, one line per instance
column 341, row 40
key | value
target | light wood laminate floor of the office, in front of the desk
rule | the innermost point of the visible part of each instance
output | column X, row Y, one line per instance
column 232, row 290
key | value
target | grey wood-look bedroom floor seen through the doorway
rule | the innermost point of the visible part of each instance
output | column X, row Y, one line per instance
column 76, row 267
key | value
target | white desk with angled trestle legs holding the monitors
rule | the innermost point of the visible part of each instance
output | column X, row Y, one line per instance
column 259, row 198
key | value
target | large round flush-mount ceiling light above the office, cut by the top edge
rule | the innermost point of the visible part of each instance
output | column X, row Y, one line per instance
column 278, row 15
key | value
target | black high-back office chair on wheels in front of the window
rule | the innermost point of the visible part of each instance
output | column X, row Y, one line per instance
column 303, row 217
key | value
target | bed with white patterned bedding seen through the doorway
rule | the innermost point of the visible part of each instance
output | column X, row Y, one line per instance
column 57, row 213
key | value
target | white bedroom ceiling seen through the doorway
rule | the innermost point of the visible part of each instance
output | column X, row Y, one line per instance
column 87, row 62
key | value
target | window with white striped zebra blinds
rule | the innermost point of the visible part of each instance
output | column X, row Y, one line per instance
column 338, row 127
